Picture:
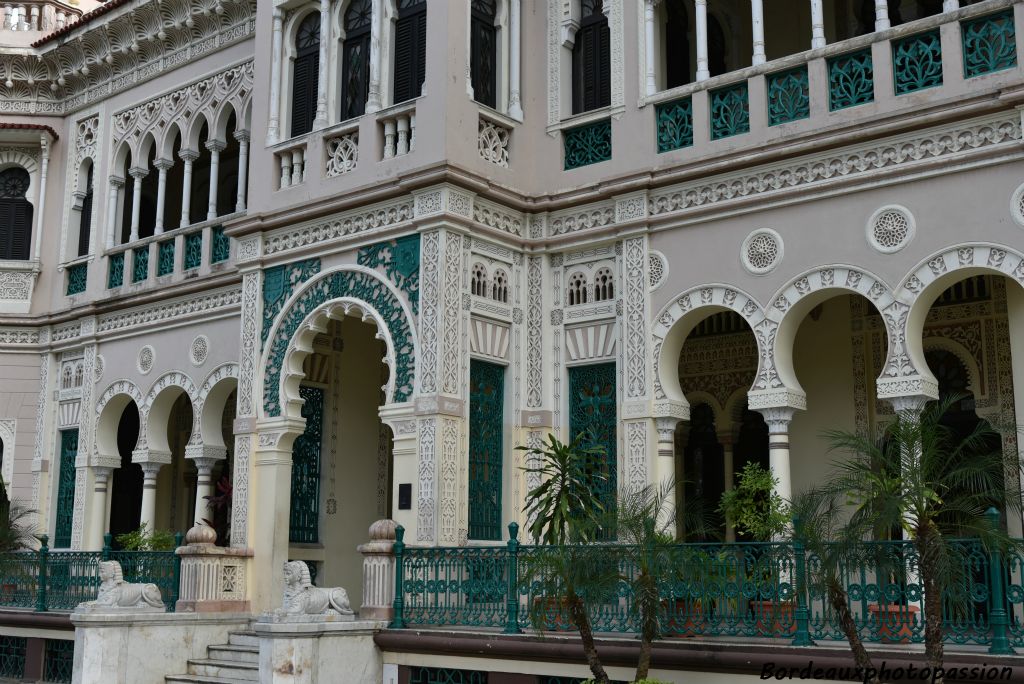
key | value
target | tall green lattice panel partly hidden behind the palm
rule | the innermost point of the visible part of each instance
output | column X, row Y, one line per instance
column 593, row 403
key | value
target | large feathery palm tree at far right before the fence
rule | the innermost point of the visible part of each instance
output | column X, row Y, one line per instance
column 935, row 486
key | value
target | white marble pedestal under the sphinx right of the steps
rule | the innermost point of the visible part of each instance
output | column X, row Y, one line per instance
column 308, row 653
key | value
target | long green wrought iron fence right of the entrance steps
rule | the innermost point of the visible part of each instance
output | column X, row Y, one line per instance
column 747, row 590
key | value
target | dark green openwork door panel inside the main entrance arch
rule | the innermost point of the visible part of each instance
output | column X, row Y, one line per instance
column 304, row 521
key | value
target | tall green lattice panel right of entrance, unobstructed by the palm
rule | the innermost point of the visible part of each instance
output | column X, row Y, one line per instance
column 487, row 413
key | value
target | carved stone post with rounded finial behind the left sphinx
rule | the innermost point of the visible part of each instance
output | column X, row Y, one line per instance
column 214, row 578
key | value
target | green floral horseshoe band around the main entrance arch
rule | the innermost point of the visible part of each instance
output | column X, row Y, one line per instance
column 360, row 286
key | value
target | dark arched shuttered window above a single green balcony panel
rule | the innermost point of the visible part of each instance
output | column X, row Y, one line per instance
column 591, row 60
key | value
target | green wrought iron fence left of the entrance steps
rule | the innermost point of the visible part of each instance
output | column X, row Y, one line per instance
column 48, row 580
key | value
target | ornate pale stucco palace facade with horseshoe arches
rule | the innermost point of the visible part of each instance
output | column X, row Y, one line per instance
column 343, row 258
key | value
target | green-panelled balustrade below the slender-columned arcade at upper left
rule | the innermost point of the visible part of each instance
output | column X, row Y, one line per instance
column 180, row 252
